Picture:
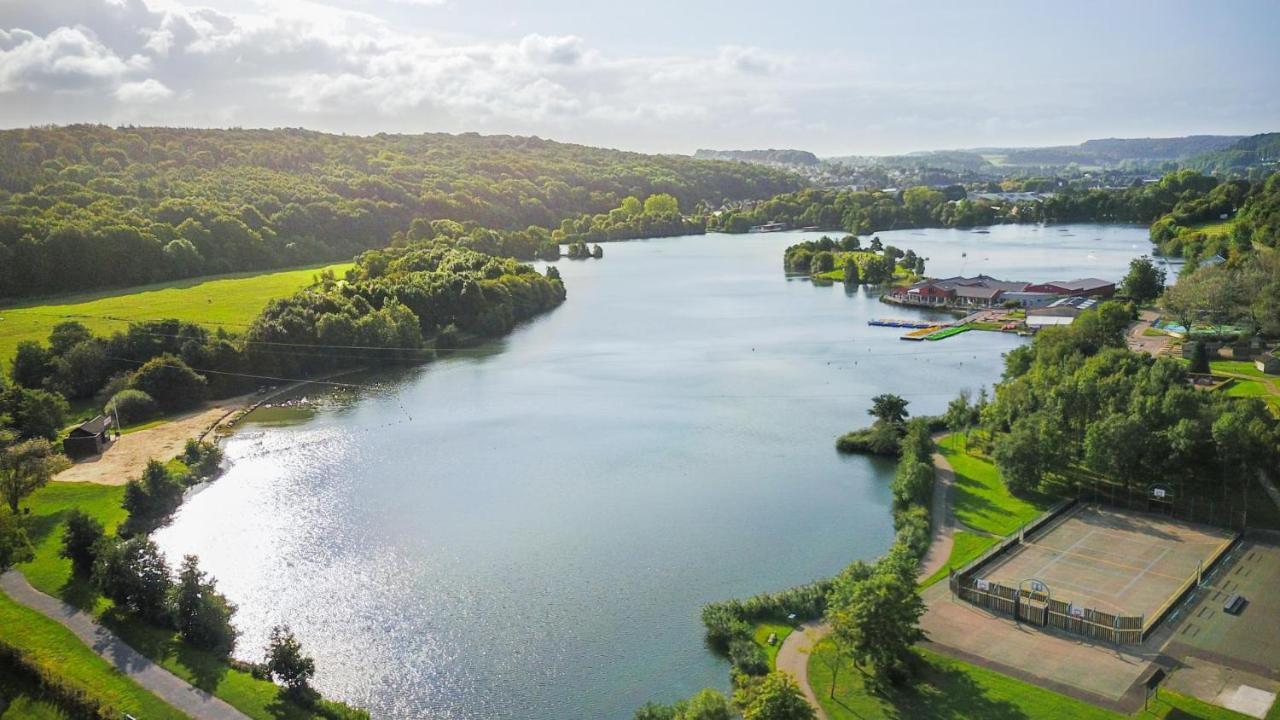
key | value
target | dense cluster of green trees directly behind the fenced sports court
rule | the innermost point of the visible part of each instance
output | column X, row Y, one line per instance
column 1078, row 399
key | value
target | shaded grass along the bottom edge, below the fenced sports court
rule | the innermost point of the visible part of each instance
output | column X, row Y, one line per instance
column 949, row 689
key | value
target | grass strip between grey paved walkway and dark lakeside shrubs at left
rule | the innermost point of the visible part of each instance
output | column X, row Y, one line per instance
column 53, row 576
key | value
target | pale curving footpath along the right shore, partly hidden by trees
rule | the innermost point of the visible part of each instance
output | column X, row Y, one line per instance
column 794, row 655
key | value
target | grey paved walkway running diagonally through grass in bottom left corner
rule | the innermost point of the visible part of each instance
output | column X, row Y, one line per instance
column 161, row 682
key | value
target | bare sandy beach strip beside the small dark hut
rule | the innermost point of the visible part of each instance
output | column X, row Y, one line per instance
column 129, row 455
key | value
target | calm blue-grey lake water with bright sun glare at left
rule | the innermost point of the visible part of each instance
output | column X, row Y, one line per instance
column 529, row 531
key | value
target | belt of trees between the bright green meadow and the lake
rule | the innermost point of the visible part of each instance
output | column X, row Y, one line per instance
column 392, row 304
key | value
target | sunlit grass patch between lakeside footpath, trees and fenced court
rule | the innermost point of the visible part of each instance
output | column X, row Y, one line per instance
column 980, row 499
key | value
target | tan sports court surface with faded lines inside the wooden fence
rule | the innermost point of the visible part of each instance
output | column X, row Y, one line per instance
column 1113, row 562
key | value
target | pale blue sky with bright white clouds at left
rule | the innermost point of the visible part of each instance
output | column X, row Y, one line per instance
column 664, row 76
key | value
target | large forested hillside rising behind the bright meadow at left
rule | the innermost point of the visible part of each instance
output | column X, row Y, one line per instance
column 88, row 207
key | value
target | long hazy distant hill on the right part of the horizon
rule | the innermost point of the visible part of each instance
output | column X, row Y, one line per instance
column 1114, row 151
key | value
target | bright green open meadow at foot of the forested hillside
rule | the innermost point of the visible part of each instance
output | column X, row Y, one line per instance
column 232, row 300
